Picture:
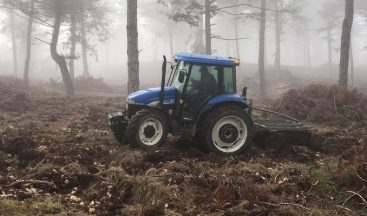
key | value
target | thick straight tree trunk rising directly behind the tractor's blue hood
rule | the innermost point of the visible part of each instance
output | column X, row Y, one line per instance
column 132, row 46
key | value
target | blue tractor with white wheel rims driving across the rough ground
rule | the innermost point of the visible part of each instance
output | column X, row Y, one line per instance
column 199, row 100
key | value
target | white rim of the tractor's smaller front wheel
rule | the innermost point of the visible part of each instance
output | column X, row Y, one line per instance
column 150, row 131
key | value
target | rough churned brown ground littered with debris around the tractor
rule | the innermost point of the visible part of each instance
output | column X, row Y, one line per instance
column 58, row 157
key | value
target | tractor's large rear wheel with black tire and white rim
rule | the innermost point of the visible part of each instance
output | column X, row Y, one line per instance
column 228, row 133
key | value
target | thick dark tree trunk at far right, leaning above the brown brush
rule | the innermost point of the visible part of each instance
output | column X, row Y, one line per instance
column 345, row 43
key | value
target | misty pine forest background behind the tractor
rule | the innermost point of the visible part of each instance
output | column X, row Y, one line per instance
column 93, row 37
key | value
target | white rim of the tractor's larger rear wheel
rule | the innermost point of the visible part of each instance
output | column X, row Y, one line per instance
column 229, row 134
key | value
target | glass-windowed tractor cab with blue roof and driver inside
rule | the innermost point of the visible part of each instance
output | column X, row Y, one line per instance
column 201, row 81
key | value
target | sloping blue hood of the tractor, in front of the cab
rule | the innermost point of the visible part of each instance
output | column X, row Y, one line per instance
column 145, row 97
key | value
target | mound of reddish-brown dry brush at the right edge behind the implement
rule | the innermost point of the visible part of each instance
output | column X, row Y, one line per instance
column 325, row 104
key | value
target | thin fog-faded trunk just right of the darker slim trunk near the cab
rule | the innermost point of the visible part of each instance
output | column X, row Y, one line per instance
column 278, row 32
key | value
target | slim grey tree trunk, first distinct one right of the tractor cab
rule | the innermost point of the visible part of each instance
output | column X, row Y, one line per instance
column 262, row 51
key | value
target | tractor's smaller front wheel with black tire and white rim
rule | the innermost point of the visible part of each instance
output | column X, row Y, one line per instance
column 155, row 118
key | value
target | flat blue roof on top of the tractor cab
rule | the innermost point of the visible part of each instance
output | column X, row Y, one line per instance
column 205, row 59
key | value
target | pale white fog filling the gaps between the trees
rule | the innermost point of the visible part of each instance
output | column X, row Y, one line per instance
column 109, row 58
